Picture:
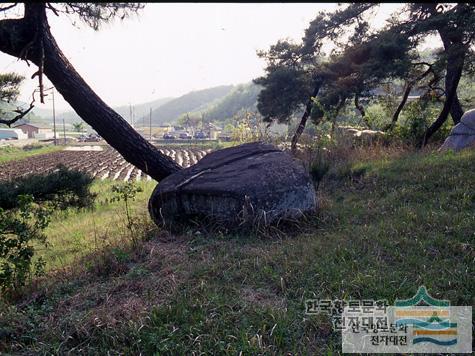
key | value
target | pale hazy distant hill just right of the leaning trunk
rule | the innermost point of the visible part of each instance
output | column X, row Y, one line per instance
column 194, row 101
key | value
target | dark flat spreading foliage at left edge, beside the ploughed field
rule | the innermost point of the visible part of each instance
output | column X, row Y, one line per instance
column 63, row 188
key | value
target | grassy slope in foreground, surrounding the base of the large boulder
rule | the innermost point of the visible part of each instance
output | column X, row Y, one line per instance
column 385, row 226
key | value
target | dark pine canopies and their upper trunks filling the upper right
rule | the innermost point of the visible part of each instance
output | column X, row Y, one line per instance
column 364, row 58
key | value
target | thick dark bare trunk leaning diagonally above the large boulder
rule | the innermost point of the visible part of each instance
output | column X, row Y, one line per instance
column 30, row 38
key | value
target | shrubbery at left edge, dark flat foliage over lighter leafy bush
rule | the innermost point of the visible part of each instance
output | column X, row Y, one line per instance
column 25, row 208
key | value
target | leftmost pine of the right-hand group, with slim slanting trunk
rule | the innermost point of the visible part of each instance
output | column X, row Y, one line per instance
column 361, row 61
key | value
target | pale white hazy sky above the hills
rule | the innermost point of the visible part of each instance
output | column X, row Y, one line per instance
column 171, row 49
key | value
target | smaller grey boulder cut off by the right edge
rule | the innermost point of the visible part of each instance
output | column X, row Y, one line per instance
column 462, row 134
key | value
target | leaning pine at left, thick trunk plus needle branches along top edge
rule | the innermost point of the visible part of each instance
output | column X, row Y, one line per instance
column 29, row 38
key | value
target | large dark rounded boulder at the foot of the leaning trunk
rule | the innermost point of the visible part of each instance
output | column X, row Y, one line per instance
column 245, row 183
